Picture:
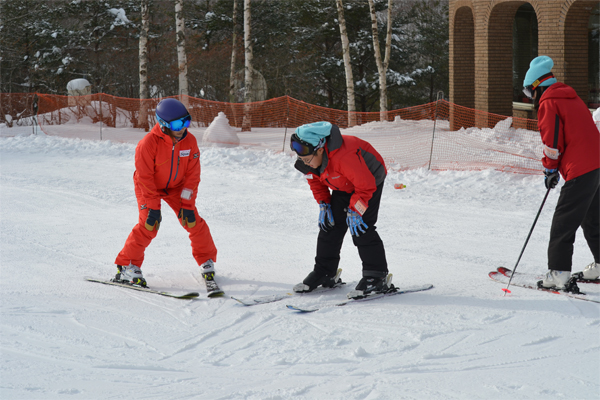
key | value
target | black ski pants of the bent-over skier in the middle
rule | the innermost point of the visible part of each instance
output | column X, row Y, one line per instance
column 369, row 244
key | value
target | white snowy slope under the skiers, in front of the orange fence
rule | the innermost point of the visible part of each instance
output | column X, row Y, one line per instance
column 67, row 206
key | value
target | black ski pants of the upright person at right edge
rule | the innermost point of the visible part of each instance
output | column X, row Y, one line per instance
column 578, row 205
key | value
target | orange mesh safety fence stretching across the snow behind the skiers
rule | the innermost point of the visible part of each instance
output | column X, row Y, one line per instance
column 438, row 135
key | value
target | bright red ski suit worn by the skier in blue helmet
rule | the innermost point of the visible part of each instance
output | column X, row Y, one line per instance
column 163, row 170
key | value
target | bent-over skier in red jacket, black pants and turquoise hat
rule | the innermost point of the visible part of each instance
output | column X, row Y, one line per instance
column 346, row 176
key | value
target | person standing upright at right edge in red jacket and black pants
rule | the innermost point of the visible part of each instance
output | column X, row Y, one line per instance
column 571, row 149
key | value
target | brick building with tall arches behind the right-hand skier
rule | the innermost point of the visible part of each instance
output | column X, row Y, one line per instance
column 493, row 41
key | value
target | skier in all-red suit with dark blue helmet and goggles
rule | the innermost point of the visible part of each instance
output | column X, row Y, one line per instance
column 167, row 167
